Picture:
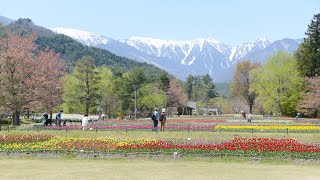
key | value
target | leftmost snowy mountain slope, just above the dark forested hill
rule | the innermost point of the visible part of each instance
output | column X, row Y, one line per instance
column 87, row 38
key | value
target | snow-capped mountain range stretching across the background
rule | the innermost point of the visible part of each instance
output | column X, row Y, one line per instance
column 182, row 57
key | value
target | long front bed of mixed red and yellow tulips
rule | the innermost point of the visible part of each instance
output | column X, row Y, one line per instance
column 243, row 146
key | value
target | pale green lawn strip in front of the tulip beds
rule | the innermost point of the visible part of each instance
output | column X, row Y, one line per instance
column 136, row 168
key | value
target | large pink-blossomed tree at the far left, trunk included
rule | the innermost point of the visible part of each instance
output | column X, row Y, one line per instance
column 27, row 75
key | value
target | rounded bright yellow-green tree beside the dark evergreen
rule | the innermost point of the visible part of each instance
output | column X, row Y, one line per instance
column 278, row 84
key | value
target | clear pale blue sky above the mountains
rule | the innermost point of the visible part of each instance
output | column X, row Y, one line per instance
column 229, row 21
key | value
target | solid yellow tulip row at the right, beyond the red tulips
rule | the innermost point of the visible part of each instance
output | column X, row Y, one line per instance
column 269, row 128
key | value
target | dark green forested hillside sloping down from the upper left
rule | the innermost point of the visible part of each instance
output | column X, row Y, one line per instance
column 71, row 50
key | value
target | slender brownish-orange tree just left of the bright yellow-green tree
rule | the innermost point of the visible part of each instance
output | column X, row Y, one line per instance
column 240, row 86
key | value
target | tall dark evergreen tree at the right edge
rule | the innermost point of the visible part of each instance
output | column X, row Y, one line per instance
column 308, row 53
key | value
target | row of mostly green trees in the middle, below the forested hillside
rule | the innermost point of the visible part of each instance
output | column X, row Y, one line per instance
column 89, row 87
